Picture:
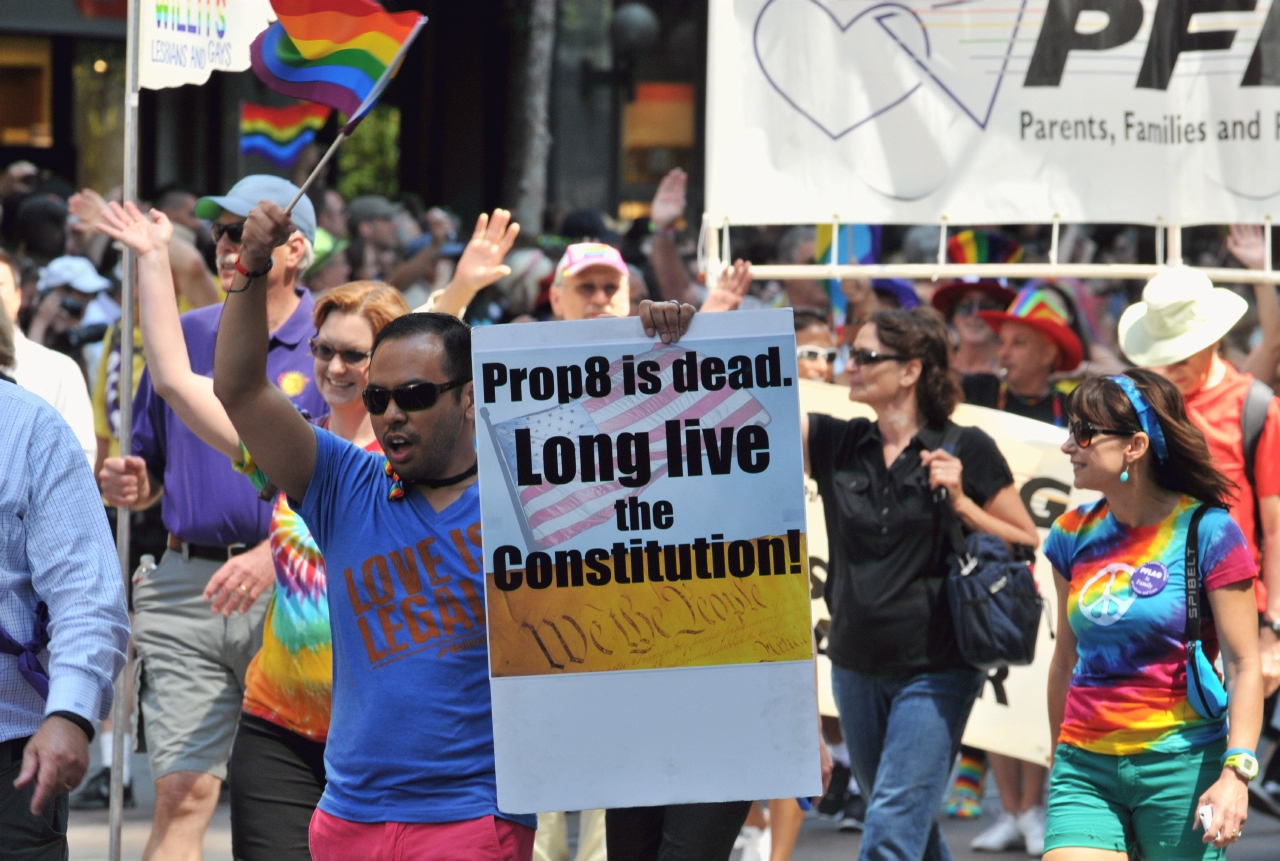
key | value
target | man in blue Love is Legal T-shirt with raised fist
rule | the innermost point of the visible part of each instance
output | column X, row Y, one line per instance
column 413, row 608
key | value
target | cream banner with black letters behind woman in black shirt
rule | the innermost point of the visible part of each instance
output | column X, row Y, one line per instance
column 1012, row 715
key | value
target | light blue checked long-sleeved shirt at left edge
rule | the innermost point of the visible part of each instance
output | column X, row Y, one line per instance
column 56, row 547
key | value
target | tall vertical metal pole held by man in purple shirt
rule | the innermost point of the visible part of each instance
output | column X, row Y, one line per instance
column 120, row 711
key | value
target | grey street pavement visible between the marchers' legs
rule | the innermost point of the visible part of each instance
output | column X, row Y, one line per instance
column 820, row 840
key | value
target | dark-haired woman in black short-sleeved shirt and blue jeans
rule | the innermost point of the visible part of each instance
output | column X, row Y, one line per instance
column 902, row 686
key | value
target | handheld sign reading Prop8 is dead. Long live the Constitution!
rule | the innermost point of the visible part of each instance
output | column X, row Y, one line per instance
column 647, row 579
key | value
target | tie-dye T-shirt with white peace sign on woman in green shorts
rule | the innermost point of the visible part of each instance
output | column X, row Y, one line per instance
column 1127, row 606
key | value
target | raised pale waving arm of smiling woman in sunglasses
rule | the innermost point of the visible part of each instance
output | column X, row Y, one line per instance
column 186, row 392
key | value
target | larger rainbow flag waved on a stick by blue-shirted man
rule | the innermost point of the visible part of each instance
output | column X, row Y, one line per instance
column 339, row 53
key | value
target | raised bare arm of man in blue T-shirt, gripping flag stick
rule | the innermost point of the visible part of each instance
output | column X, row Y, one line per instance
column 281, row 441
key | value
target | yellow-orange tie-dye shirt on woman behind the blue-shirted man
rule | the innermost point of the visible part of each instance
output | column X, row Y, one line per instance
column 290, row 681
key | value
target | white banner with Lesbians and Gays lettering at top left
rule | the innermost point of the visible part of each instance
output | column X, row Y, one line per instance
column 185, row 42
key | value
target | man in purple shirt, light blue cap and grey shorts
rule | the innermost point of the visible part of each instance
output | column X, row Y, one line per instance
column 193, row 661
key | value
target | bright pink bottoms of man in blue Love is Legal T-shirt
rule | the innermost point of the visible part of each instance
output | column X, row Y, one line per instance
column 488, row 839
